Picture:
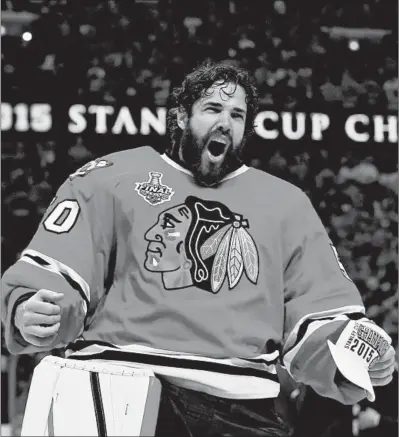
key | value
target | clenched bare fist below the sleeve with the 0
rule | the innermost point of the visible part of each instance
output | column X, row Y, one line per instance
column 38, row 318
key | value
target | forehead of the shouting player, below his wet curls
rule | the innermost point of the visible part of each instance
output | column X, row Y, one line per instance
column 225, row 93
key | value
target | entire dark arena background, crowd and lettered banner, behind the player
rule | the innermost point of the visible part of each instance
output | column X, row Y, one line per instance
column 83, row 79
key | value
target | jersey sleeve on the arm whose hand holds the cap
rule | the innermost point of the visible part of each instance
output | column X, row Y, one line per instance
column 320, row 300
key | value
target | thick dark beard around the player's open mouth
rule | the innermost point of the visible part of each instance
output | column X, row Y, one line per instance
column 193, row 153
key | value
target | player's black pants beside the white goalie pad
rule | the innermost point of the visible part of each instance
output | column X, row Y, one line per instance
column 188, row 413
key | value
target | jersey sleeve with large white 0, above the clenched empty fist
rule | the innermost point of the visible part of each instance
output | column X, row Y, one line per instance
column 70, row 254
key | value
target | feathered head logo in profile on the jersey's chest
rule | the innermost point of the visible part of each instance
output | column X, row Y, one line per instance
column 199, row 243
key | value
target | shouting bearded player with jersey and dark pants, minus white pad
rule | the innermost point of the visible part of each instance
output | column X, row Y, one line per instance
column 199, row 268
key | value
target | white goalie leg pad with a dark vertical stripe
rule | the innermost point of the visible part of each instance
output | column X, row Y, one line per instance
column 81, row 398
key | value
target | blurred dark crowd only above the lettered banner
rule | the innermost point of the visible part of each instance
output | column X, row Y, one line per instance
column 297, row 55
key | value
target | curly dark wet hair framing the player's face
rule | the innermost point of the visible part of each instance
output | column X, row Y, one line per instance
column 201, row 79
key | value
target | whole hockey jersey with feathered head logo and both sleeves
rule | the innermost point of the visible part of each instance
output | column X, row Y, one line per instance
column 207, row 286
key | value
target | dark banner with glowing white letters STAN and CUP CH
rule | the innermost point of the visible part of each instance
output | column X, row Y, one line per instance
column 54, row 120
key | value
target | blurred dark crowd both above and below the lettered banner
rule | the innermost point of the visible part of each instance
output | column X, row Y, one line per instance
column 113, row 51
